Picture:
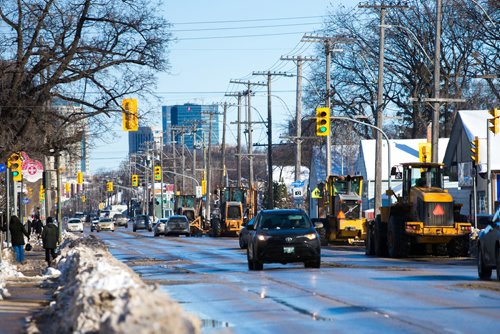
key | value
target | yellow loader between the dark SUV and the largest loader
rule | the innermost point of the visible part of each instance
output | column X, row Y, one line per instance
column 342, row 205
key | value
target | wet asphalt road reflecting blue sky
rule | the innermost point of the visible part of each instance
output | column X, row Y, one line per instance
column 350, row 293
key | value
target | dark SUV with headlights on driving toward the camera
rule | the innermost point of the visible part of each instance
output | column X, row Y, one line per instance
column 283, row 236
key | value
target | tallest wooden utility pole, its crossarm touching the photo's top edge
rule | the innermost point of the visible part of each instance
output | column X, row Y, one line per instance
column 380, row 101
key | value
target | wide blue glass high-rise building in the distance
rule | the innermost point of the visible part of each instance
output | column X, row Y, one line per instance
column 189, row 116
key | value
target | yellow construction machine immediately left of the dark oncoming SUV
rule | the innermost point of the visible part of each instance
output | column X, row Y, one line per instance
column 235, row 206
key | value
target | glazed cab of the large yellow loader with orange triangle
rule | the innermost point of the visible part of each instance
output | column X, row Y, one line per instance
column 422, row 175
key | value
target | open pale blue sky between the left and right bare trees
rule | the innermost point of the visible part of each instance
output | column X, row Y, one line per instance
column 201, row 67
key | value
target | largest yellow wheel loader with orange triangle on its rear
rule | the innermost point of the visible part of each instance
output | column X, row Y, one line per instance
column 424, row 216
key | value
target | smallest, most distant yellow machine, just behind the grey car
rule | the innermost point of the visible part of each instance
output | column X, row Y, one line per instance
column 191, row 207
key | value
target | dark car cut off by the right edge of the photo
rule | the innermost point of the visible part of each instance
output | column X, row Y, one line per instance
column 488, row 253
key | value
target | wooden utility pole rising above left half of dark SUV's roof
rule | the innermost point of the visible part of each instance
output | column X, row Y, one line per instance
column 269, row 74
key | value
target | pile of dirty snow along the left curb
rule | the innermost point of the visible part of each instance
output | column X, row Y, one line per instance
column 98, row 293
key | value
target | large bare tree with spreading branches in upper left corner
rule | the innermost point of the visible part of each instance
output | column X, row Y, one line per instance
column 91, row 53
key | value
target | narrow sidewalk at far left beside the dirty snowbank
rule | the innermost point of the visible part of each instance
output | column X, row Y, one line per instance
column 28, row 294
